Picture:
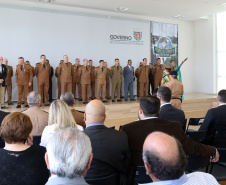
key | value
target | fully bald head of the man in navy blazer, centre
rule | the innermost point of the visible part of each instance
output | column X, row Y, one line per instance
column 95, row 112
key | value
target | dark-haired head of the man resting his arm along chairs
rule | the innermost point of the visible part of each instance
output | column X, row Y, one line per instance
column 149, row 107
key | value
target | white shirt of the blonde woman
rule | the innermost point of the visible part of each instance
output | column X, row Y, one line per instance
column 48, row 132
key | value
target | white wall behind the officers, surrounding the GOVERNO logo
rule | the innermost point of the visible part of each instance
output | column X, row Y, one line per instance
column 30, row 33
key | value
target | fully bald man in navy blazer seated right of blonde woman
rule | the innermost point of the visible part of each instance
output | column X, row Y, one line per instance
column 112, row 156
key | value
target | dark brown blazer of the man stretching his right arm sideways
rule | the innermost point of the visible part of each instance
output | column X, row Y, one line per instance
column 138, row 131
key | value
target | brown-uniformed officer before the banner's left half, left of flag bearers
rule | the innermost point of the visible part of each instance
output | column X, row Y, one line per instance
column 157, row 73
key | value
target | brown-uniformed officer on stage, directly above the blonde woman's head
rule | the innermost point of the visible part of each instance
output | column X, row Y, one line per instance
column 64, row 71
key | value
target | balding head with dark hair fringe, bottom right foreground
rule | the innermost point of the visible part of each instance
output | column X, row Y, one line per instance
column 163, row 157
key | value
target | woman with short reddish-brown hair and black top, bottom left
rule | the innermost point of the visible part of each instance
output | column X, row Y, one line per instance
column 21, row 162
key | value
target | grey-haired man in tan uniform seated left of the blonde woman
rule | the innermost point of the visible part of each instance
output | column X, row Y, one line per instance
column 39, row 118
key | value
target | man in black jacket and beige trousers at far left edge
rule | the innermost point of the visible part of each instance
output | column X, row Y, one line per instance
column 3, row 75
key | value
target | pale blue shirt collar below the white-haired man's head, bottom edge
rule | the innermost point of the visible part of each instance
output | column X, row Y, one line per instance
column 55, row 180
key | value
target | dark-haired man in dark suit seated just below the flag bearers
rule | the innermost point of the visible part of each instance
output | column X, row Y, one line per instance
column 167, row 110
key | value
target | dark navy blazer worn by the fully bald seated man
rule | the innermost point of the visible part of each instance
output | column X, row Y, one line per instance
column 110, row 152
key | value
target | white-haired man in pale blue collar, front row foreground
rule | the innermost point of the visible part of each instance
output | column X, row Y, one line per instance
column 68, row 157
